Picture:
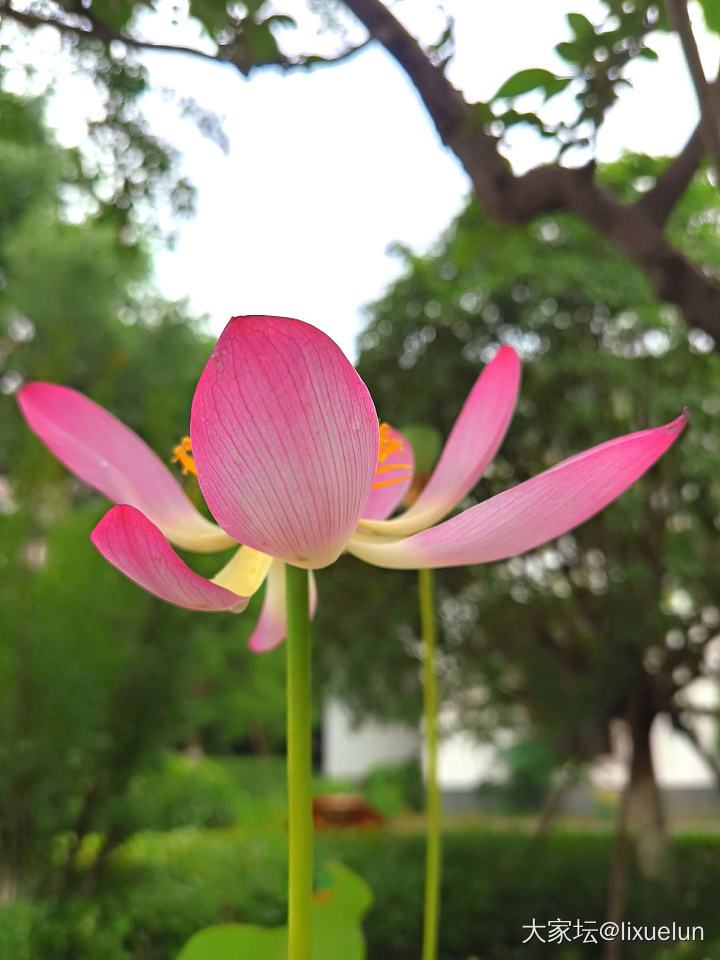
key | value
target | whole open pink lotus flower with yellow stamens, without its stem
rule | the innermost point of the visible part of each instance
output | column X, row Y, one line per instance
column 293, row 464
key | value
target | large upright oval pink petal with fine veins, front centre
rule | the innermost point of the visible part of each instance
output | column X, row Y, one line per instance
column 285, row 439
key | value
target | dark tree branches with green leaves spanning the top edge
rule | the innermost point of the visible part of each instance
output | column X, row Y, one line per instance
column 637, row 228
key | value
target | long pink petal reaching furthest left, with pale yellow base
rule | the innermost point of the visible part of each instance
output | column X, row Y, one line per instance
column 110, row 457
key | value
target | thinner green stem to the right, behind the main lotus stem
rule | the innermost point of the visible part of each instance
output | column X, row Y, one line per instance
column 430, row 700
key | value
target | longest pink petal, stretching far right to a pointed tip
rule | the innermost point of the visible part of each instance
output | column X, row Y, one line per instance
column 531, row 513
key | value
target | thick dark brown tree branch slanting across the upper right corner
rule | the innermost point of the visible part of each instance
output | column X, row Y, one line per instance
column 636, row 229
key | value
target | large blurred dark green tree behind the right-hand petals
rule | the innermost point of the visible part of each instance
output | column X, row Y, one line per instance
column 617, row 619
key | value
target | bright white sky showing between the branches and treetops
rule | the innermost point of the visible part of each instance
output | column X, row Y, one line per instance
column 328, row 167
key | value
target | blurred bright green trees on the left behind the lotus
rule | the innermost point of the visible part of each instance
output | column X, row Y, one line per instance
column 97, row 678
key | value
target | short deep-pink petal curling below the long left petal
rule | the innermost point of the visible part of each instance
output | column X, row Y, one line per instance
column 133, row 544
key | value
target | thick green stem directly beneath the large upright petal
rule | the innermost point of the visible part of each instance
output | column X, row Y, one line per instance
column 299, row 764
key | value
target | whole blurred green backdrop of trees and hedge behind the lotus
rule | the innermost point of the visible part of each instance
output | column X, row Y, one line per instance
column 141, row 771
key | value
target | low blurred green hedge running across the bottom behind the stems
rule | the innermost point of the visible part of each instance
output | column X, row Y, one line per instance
column 165, row 887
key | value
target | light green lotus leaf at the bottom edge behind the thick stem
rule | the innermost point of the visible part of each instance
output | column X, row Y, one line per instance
column 336, row 915
